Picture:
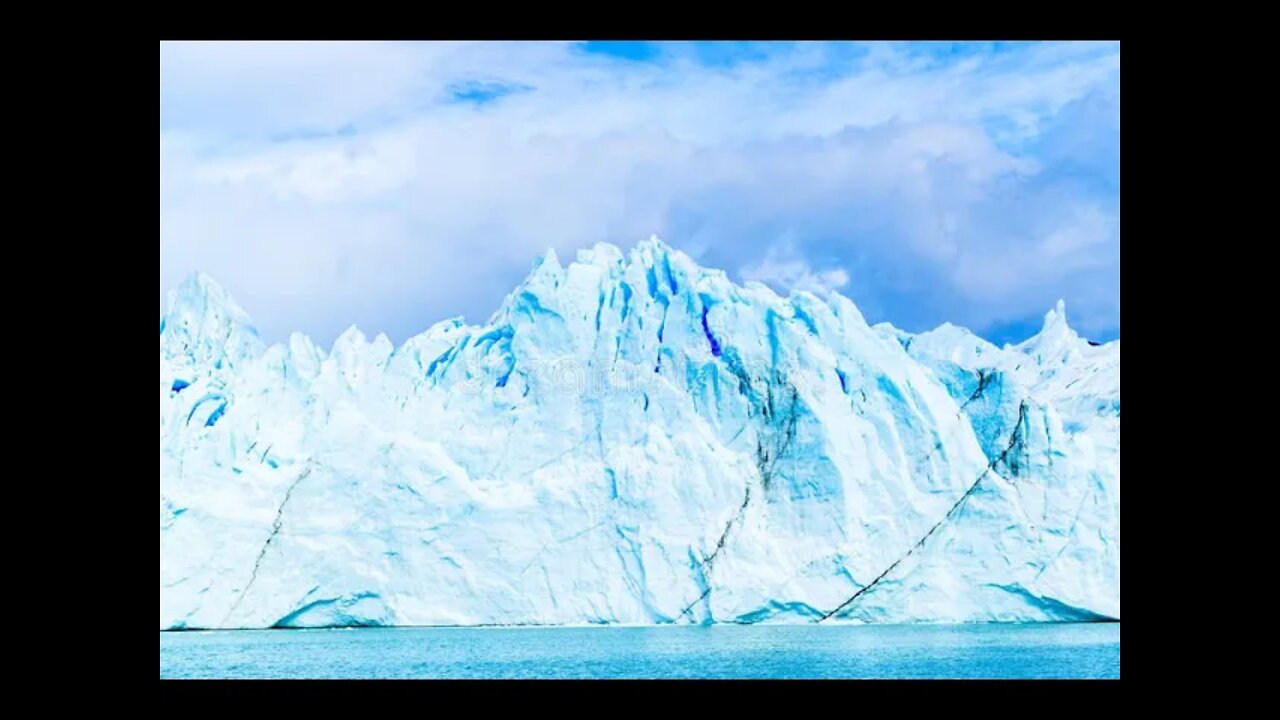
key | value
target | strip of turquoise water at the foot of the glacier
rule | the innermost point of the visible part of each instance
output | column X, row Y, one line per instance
column 723, row 651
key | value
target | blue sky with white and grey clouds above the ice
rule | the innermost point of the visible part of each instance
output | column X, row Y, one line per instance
column 394, row 185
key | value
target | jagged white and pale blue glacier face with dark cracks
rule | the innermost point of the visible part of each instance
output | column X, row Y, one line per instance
column 634, row 439
